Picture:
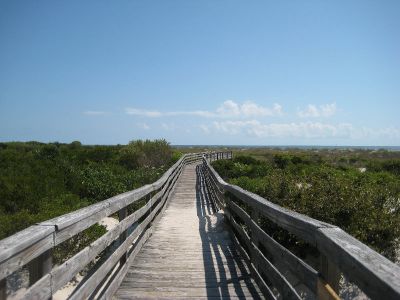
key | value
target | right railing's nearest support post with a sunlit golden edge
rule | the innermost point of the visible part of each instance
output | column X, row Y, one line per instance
column 328, row 285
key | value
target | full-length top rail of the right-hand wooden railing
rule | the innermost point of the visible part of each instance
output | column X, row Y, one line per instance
column 374, row 274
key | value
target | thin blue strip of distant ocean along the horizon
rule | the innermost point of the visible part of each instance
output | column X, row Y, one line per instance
column 305, row 147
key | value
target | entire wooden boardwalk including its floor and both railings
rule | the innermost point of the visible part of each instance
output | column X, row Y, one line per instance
column 192, row 235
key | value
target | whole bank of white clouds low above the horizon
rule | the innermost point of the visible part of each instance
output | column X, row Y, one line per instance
column 252, row 120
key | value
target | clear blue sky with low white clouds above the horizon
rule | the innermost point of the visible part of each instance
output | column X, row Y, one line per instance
column 201, row 72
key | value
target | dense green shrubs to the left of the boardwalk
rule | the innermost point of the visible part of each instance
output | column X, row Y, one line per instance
column 41, row 181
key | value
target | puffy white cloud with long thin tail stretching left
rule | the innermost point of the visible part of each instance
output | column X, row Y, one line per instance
column 228, row 109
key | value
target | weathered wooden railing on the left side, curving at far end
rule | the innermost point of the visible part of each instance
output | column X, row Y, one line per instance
column 32, row 248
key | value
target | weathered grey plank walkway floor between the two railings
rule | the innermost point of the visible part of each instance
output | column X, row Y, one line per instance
column 190, row 254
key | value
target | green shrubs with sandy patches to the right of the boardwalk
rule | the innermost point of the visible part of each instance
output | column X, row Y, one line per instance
column 358, row 191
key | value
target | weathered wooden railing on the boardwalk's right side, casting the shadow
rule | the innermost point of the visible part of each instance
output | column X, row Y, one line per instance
column 270, row 262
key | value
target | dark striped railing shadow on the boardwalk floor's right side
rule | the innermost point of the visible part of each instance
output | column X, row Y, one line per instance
column 217, row 248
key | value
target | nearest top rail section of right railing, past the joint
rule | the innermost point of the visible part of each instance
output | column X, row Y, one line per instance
column 373, row 273
